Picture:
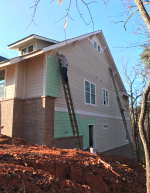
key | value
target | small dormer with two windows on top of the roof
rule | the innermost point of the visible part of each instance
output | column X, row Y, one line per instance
column 30, row 44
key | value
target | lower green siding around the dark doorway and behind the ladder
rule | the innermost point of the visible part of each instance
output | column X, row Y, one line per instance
column 62, row 126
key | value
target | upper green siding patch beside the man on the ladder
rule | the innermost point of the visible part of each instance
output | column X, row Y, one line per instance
column 53, row 76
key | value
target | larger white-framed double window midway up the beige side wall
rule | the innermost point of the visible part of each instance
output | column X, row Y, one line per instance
column 90, row 93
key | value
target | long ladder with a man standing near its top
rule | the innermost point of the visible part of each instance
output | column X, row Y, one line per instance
column 71, row 112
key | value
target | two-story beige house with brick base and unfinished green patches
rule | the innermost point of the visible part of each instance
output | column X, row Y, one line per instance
column 33, row 106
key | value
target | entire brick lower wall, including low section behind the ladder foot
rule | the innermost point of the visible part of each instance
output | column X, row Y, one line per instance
column 32, row 120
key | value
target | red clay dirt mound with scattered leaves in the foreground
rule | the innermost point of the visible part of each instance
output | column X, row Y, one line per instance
column 29, row 168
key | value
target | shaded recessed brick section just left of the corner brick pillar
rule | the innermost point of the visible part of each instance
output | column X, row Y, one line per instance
column 33, row 120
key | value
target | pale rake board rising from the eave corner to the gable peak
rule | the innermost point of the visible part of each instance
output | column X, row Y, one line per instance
column 68, row 41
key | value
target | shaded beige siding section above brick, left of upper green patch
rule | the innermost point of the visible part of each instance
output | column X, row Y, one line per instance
column 34, row 77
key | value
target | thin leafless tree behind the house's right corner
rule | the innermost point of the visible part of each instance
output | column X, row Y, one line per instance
column 132, row 75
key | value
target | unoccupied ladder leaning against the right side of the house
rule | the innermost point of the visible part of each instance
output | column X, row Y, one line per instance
column 121, row 109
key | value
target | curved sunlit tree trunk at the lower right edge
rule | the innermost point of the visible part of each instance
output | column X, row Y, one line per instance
column 143, row 135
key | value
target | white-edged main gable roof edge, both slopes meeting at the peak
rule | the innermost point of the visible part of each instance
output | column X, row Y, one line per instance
column 64, row 43
